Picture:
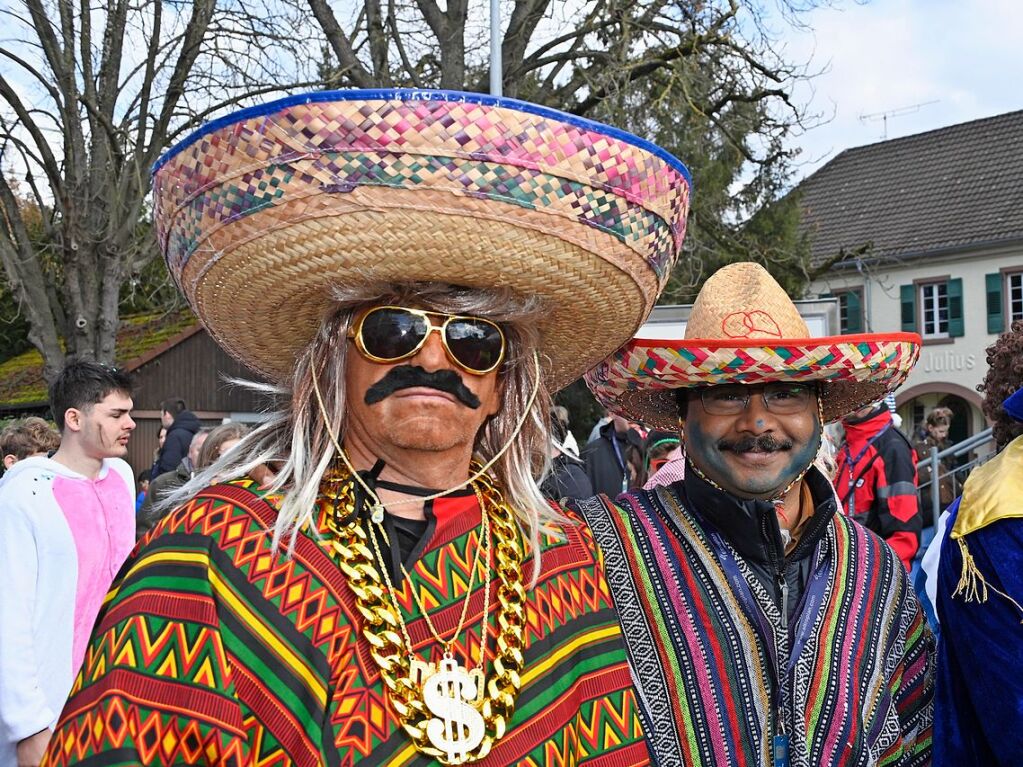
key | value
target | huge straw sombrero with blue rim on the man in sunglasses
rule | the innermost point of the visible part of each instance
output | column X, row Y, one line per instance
column 261, row 213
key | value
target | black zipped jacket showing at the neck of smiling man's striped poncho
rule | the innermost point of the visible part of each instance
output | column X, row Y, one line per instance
column 751, row 527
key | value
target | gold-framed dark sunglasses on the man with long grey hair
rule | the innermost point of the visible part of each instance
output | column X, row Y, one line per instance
column 390, row 334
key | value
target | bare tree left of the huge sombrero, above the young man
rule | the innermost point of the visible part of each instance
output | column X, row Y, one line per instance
column 91, row 95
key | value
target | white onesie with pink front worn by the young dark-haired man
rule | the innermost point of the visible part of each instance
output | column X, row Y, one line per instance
column 63, row 539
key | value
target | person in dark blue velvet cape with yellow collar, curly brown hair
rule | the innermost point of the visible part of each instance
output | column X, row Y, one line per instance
column 978, row 713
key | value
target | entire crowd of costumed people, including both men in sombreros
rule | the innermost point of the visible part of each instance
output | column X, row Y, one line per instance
column 415, row 561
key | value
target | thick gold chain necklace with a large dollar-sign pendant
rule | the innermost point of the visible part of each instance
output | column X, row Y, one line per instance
column 444, row 710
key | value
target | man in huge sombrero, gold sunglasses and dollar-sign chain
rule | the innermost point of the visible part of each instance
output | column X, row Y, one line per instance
column 417, row 272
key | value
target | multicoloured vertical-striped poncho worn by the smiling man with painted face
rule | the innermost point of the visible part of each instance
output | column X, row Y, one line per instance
column 703, row 636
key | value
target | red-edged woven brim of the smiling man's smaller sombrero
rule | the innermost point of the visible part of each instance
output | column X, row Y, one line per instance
column 639, row 381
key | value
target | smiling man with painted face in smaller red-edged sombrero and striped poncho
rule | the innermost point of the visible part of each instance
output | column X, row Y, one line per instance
column 764, row 627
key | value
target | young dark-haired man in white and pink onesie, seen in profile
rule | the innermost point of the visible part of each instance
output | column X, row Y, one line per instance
column 67, row 524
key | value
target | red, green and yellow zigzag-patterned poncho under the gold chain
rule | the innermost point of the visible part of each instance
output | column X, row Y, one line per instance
column 212, row 649
